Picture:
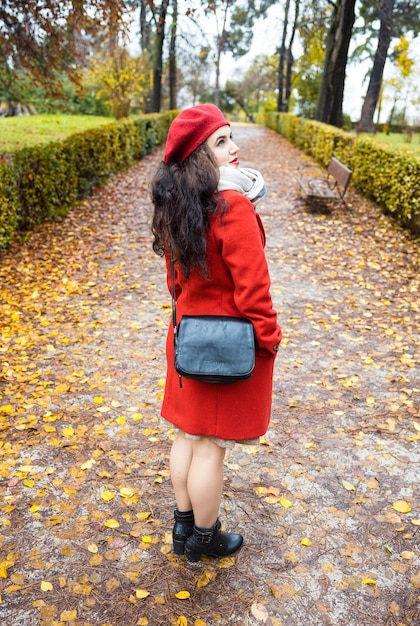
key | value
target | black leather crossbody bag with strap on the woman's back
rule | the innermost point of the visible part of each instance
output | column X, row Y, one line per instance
column 212, row 348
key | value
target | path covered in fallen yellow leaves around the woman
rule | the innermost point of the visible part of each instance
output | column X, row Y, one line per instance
column 328, row 502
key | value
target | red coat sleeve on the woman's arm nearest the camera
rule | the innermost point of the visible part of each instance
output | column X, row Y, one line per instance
column 241, row 239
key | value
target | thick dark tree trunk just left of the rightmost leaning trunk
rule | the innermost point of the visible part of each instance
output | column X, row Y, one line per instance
column 330, row 97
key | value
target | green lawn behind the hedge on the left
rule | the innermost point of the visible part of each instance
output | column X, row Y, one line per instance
column 20, row 132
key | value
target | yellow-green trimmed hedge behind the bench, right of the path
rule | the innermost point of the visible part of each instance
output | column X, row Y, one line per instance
column 389, row 177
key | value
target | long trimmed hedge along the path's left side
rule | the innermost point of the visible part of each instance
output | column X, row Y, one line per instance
column 42, row 182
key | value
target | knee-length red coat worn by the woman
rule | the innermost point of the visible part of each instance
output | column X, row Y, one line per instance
column 238, row 285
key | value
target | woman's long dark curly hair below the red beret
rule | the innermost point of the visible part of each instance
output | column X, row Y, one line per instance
column 184, row 196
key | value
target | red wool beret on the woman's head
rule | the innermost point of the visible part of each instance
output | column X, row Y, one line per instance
column 190, row 129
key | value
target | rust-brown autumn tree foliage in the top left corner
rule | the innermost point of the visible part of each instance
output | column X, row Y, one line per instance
column 46, row 41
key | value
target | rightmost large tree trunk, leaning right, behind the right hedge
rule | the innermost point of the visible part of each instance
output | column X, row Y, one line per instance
column 366, row 124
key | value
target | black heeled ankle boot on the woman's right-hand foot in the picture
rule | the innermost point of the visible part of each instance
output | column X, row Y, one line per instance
column 212, row 542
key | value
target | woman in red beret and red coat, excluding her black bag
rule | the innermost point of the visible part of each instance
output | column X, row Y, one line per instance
column 205, row 221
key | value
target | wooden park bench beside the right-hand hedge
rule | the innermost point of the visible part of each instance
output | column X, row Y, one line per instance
column 328, row 187
